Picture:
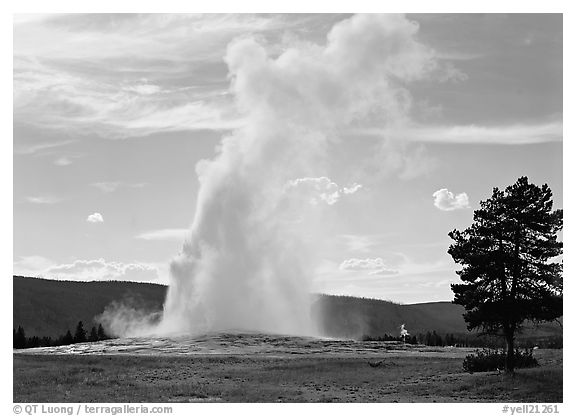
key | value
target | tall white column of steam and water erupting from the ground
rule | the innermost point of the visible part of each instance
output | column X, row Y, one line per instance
column 244, row 265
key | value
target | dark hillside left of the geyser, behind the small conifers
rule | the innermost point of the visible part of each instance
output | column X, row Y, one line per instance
column 50, row 307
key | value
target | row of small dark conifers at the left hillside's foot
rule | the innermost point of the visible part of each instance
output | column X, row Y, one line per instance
column 20, row 340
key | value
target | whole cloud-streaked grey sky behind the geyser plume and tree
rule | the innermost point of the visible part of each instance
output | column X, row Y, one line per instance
column 113, row 113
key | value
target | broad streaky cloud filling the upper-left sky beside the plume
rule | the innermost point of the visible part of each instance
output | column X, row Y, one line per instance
column 131, row 75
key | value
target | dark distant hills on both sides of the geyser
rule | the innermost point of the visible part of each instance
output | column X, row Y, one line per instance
column 50, row 307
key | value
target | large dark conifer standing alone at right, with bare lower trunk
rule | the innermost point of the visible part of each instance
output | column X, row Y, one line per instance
column 508, row 254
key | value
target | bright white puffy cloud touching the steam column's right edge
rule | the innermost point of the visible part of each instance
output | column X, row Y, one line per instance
column 320, row 190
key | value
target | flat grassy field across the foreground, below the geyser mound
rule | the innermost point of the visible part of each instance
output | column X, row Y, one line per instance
column 401, row 376
